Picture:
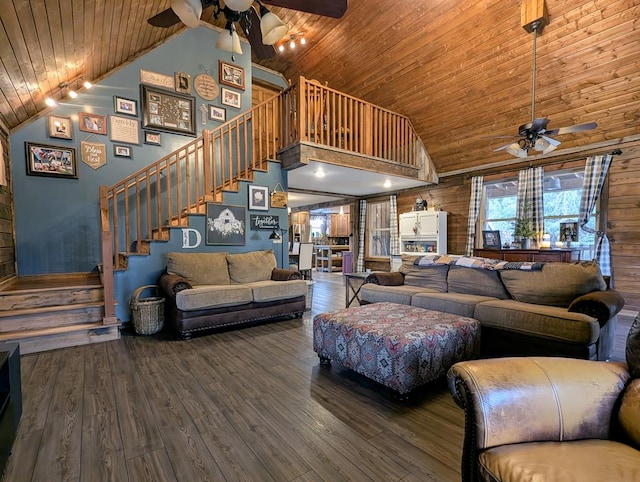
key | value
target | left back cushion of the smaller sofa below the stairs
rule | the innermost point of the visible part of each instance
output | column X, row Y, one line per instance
column 199, row 268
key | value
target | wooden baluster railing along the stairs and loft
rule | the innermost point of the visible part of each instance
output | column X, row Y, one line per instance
column 145, row 204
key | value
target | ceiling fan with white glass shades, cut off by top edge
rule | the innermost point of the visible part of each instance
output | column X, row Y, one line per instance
column 262, row 28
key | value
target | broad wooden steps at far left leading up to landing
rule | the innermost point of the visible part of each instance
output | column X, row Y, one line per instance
column 45, row 312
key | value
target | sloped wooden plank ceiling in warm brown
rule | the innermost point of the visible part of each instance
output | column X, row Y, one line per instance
column 459, row 69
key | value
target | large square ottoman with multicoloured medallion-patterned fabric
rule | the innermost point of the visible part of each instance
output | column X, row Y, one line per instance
column 400, row 346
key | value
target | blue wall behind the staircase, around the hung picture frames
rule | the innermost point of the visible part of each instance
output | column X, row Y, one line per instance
column 57, row 224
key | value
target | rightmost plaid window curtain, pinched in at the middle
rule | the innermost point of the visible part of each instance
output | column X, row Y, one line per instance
column 595, row 172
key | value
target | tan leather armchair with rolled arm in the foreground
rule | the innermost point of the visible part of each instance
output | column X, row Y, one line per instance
column 548, row 419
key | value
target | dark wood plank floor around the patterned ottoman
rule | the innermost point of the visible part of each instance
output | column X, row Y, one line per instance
column 249, row 404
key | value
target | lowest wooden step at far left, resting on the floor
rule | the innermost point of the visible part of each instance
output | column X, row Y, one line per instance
column 33, row 341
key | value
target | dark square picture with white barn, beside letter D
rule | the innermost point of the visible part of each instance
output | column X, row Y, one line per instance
column 225, row 224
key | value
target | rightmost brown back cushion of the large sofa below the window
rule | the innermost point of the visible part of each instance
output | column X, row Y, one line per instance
column 557, row 284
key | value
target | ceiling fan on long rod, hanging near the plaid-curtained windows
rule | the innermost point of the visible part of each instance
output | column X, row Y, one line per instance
column 535, row 135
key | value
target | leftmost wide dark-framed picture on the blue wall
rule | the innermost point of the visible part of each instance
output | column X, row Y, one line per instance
column 51, row 161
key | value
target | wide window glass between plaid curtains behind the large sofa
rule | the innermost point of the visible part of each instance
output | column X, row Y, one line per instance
column 562, row 193
